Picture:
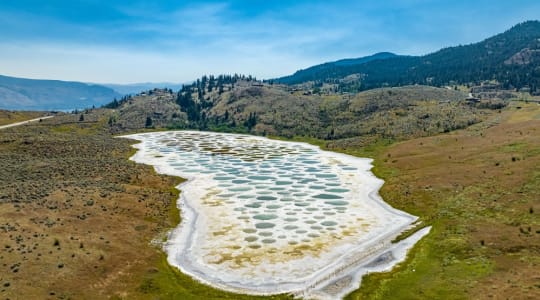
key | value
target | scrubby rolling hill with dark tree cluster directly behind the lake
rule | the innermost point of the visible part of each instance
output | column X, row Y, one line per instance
column 245, row 106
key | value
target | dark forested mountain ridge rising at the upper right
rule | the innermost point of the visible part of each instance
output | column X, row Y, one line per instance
column 512, row 58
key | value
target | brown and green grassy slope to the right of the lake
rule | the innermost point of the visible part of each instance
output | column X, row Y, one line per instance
column 479, row 189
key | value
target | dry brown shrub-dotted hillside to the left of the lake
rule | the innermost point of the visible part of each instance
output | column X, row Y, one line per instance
column 78, row 219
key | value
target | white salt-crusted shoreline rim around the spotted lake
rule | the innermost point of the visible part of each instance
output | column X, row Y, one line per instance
column 356, row 261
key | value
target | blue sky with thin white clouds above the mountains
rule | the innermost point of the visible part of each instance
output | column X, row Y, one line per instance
column 178, row 41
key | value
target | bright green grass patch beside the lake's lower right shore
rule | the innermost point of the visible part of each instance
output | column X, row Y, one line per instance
column 443, row 265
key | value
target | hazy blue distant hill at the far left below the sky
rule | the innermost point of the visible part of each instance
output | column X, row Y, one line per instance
column 34, row 94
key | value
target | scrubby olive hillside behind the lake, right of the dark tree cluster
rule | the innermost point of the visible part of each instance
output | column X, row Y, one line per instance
column 399, row 113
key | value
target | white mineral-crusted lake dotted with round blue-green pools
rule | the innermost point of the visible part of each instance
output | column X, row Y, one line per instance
column 262, row 216
